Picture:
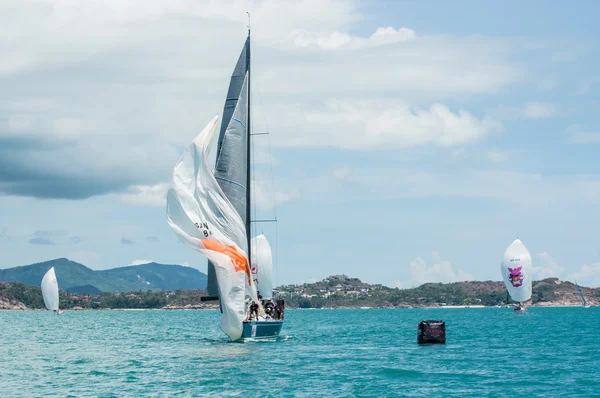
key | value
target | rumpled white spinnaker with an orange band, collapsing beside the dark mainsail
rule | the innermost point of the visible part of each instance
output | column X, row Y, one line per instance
column 204, row 219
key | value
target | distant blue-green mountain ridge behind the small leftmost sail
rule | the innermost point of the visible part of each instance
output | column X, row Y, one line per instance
column 72, row 275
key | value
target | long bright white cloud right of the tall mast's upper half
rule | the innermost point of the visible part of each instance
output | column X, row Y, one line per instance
column 362, row 125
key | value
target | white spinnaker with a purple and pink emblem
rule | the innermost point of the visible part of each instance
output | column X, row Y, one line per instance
column 517, row 271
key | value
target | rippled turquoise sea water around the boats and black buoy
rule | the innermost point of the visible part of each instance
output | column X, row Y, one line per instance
column 489, row 352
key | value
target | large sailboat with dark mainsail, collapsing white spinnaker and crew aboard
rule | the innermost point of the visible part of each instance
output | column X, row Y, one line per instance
column 210, row 211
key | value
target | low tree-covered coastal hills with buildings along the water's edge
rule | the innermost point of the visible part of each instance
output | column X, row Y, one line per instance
column 337, row 291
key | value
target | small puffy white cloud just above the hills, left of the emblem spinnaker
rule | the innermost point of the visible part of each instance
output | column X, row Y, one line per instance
column 440, row 271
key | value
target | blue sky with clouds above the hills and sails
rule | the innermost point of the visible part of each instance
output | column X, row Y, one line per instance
column 409, row 142
